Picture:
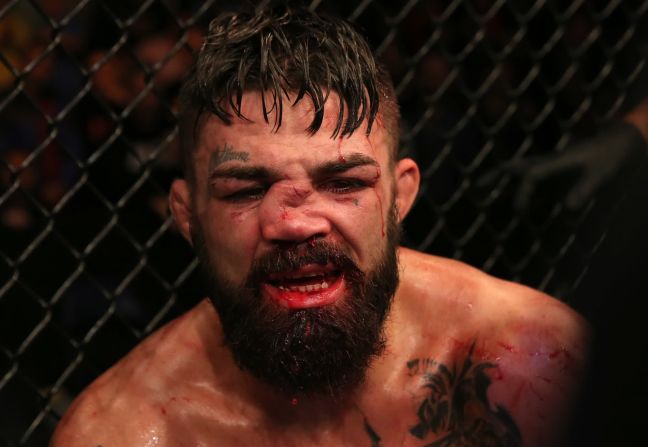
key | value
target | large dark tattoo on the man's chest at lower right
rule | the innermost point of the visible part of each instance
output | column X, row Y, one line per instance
column 456, row 406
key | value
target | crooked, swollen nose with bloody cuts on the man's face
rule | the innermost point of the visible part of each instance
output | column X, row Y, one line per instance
column 289, row 214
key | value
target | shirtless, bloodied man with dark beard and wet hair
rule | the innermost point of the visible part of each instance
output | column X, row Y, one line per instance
column 319, row 329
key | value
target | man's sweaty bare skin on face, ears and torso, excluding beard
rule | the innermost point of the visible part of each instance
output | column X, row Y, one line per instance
column 470, row 359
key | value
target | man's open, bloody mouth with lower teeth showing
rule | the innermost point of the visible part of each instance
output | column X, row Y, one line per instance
column 310, row 286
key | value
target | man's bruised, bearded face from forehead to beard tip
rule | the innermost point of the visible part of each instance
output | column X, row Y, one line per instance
column 298, row 235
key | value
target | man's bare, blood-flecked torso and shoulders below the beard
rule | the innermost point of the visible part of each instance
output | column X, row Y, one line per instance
column 470, row 359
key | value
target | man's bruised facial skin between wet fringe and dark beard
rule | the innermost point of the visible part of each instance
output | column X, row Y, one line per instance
column 292, row 193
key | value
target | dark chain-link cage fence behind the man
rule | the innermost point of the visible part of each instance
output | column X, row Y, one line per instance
column 89, row 260
